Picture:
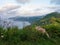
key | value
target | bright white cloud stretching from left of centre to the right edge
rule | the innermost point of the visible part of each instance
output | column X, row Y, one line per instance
column 38, row 11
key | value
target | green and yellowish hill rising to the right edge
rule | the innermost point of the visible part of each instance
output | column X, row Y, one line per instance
column 49, row 18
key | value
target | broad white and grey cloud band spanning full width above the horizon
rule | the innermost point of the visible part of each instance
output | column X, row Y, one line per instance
column 14, row 10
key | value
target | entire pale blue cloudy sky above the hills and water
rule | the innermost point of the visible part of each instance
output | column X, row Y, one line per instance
column 11, row 8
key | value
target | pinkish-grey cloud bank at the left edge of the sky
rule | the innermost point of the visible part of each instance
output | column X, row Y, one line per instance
column 8, row 10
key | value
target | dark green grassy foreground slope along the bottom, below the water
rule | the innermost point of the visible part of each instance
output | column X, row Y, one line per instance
column 28, row 36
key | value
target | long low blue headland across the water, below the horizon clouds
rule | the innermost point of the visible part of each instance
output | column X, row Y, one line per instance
column 29, row 19
